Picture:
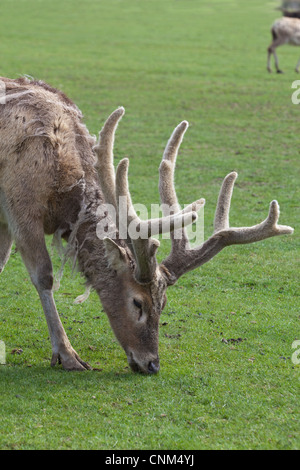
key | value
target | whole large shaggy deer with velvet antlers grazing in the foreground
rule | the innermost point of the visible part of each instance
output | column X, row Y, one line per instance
column 53, row 178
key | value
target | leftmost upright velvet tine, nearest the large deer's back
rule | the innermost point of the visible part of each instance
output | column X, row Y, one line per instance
column 104, row 151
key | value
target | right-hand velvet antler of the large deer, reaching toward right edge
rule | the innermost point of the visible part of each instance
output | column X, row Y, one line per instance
column 182, row 259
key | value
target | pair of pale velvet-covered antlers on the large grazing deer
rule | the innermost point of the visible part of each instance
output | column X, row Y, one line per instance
column 138, row 232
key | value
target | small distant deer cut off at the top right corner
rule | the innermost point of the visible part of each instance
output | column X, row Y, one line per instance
column 284, row 31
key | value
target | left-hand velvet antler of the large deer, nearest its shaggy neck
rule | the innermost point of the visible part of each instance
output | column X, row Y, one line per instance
column 115, row 188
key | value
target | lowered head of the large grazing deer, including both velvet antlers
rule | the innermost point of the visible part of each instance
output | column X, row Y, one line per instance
column 140, row 280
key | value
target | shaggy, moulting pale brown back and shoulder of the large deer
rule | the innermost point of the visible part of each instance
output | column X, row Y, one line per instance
column 46, row 157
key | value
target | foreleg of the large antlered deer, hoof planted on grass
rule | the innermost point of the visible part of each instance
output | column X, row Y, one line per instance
column 39, row 266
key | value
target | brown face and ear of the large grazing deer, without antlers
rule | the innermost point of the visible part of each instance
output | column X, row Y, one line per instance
column 135, row 310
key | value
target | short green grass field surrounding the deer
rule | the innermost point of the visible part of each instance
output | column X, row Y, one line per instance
column 165, row 61
